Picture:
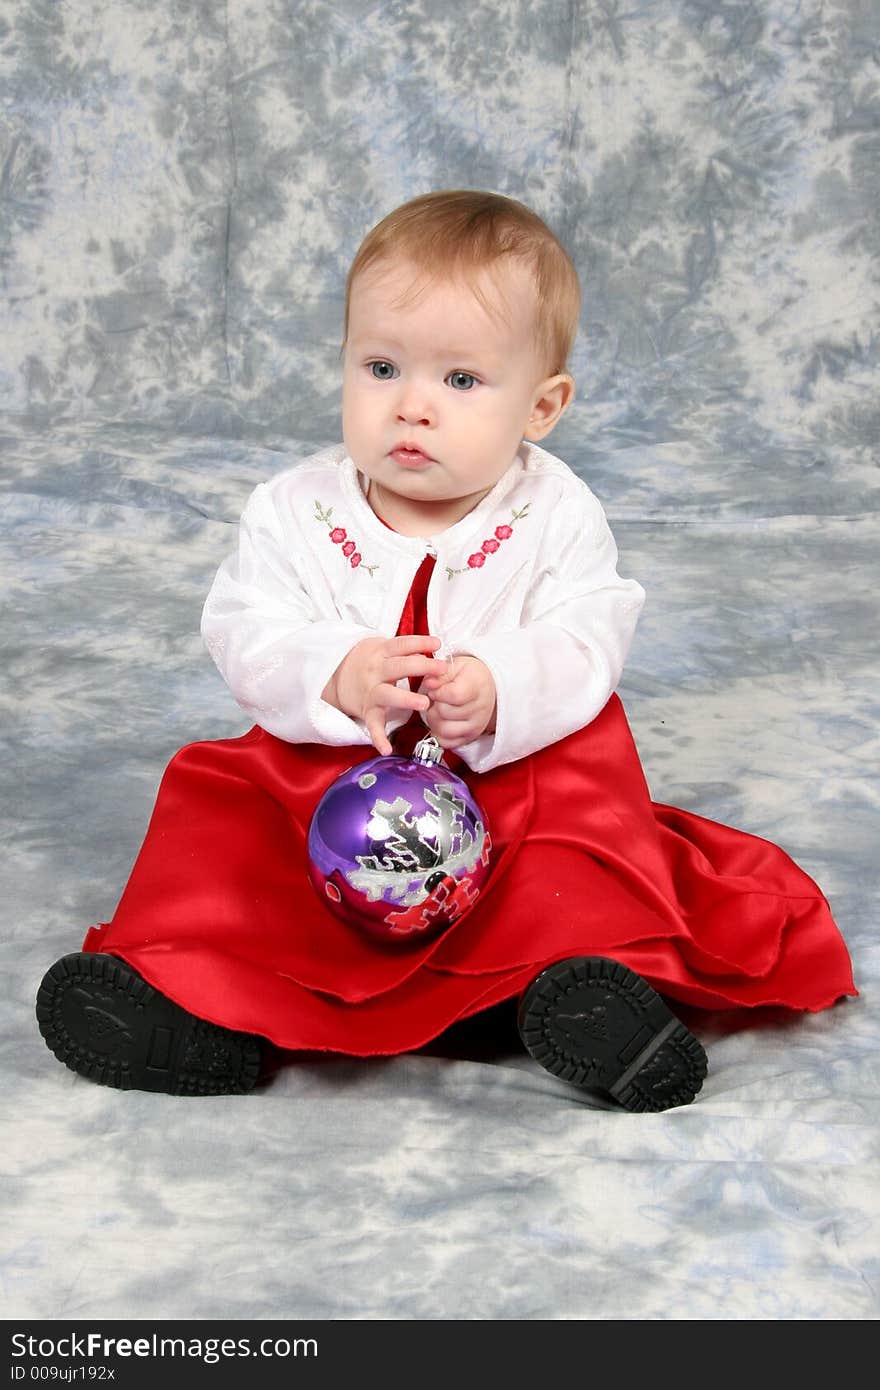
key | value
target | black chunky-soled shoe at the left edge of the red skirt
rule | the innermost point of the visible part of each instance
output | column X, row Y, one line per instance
column 104, row 1021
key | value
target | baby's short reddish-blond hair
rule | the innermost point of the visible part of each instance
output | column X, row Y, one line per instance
column 461, row 233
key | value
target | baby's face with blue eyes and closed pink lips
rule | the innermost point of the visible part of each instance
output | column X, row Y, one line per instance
column 444, row 376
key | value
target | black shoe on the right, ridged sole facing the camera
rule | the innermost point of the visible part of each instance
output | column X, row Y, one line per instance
column 601, row 1027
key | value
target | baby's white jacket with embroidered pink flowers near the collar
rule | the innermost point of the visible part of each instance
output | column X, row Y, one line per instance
column 528, row 582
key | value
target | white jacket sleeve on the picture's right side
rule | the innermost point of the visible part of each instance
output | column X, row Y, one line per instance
column 557, row 671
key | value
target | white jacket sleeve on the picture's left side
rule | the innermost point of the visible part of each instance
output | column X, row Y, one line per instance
column 269, row 641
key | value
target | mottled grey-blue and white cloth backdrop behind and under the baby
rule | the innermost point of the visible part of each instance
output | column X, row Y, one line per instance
column 183, row 188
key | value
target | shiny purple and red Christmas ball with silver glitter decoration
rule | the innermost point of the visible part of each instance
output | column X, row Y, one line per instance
column 400, row 847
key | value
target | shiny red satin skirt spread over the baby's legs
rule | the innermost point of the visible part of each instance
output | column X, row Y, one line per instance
column 220, row 915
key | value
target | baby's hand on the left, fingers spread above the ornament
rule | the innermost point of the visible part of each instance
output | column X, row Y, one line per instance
column 364, row 685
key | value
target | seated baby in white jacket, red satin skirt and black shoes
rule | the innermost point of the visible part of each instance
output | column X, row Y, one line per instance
column 437, row 571
